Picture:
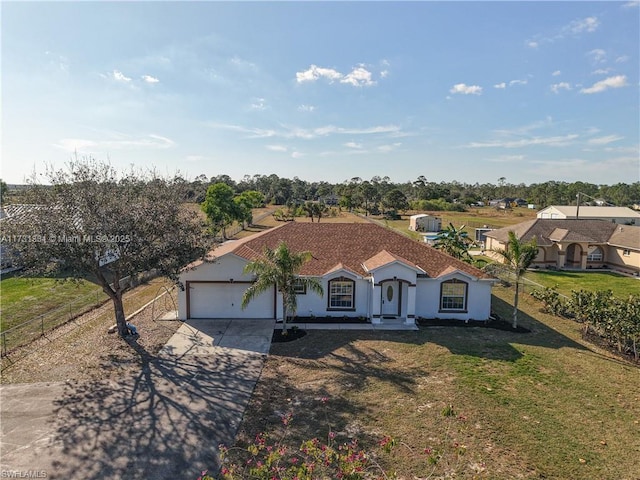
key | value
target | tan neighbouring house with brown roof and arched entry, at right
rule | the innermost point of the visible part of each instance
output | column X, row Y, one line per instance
column 576, row 244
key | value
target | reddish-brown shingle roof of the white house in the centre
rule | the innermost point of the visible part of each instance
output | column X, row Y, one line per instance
column 350, row 246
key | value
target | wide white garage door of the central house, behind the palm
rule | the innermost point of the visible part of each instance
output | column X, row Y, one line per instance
column 224, row 300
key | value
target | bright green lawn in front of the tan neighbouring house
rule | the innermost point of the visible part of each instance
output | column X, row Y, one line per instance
column 565, row 282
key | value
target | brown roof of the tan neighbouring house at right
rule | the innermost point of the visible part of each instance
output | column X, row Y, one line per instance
column 546, row 231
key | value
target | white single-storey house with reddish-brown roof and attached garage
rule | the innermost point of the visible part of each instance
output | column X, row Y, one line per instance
column 366, row 270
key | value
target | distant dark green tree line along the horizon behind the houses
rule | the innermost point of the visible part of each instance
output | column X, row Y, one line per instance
column 420, row 194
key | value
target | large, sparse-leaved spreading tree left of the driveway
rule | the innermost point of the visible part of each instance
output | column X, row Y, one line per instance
column 90, row 222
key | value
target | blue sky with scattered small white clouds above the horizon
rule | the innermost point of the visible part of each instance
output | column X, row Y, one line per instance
column 466, row 91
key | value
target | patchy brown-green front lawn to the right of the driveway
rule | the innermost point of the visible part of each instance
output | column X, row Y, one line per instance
column 543, row 404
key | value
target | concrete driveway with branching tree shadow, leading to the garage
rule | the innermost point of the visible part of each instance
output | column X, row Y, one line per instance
column 165, row 421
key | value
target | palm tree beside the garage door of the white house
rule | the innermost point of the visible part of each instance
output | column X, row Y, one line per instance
column 279, row 267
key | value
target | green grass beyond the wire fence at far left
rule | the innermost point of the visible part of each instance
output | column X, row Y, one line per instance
column 25, row 298
